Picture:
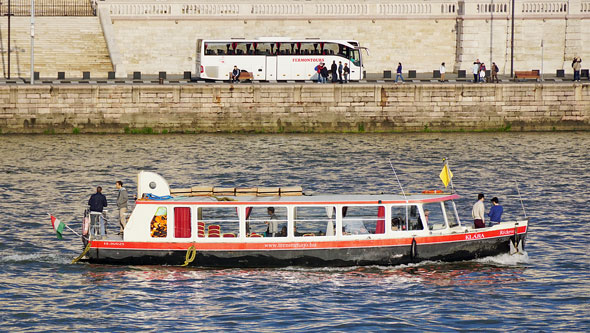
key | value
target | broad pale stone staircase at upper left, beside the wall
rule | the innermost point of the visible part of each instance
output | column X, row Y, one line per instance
column 62, row 44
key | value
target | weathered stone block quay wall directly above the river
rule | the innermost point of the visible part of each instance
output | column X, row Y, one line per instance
column 293, row 108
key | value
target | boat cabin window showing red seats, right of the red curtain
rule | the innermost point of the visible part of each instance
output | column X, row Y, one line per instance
column 214, row 222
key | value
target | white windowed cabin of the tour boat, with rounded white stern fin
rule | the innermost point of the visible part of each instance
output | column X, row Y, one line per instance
column 159, row 217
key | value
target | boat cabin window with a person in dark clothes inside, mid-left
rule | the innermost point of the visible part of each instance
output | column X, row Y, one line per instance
column 266, row 221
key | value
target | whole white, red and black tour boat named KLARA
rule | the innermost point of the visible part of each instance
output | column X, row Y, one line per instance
column 270, row 227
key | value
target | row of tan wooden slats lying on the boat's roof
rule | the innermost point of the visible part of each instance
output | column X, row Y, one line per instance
column 202, row 191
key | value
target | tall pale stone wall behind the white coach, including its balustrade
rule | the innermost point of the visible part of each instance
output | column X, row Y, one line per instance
column 161, row 35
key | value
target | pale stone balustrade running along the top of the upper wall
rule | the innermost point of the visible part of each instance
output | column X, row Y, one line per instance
column 376, row 9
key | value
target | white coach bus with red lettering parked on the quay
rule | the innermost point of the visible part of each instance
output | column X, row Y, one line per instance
column 270, row 59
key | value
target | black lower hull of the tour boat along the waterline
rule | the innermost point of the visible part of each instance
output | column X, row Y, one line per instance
column 409, row 250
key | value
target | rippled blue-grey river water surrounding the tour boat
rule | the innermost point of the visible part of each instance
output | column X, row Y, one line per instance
column 546, row 289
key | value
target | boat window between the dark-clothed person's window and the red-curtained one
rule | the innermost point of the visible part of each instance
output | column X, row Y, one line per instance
column 315, row 221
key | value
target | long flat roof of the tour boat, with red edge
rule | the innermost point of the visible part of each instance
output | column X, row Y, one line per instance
column 325, row 199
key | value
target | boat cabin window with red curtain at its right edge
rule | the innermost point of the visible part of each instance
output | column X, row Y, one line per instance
column 363, row 220
